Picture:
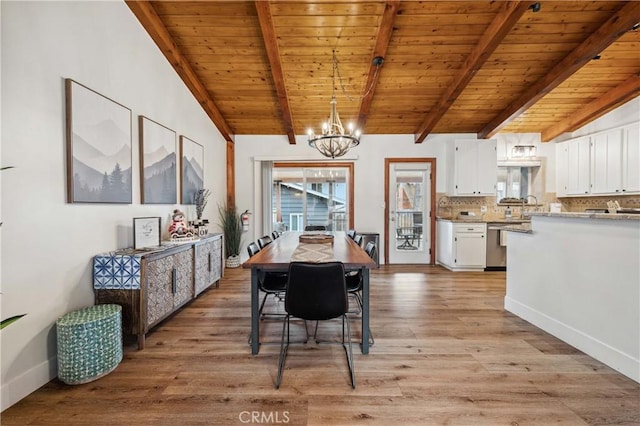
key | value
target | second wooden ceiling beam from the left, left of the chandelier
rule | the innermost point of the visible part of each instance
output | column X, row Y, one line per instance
column 271, row 45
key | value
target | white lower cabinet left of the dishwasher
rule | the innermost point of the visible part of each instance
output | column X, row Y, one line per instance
column 461, row 246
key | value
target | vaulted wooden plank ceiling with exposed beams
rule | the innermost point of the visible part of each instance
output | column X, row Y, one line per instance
column 482, row 67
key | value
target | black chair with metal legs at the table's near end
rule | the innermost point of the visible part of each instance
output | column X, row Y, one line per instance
column 316, row 292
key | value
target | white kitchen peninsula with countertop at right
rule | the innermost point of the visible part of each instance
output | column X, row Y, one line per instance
column 577, row 277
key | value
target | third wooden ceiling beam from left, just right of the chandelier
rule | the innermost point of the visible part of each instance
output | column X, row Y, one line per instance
column 380, row 50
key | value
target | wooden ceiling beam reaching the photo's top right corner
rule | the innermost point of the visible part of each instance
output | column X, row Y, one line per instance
column 622, row 21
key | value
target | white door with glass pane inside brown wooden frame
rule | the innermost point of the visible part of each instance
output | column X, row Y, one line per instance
column 409, row 220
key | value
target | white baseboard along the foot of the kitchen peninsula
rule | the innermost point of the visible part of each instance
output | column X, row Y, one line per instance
column 595, row 348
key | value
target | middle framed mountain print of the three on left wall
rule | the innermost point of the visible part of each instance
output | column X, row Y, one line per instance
column 158, row 183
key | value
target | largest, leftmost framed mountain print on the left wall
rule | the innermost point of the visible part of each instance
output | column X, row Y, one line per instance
column 98, row 147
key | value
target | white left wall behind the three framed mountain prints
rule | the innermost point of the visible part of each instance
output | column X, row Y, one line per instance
column 47, row 244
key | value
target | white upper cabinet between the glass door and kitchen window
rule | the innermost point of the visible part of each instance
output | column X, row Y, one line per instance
column 472, row 168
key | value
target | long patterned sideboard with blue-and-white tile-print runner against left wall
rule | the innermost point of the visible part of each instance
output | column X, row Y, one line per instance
column 152, row 285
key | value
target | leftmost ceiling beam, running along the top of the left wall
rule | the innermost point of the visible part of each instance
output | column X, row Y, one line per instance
column 152, row 23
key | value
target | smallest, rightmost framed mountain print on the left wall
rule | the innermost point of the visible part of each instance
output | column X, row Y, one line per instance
column 191, row 170
